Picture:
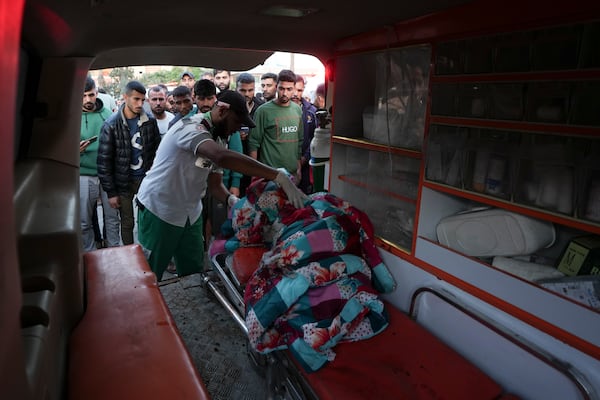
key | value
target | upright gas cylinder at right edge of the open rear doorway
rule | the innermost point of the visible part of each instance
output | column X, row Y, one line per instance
column 319, row 153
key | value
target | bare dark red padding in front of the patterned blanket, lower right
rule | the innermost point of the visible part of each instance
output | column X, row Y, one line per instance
column 405, row 361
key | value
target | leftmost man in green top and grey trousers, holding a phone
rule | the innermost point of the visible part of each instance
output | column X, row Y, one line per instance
column 93, row 116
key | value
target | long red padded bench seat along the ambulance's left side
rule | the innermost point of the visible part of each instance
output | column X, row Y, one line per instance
column 127, row 345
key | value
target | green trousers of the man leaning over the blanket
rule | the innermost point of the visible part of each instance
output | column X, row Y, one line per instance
column 162, row 241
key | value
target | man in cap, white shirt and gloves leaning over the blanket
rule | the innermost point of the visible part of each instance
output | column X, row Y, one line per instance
column 188, row 162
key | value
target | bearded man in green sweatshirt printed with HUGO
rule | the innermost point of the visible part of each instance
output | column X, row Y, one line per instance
column 279, row 130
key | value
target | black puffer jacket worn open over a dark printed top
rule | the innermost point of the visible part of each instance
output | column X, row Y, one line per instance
column 114, row 151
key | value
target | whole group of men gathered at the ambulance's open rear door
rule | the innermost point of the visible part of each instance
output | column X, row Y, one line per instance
column 185, row 156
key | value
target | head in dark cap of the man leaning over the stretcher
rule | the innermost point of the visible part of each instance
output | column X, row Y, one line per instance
column 230, row 113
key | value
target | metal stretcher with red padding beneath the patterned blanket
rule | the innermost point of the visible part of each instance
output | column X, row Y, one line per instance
column 405, row 361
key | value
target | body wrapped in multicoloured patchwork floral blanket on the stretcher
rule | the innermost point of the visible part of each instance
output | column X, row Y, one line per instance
column 318, row 283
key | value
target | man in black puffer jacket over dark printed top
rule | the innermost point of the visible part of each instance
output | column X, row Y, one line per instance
column 128, row 143
